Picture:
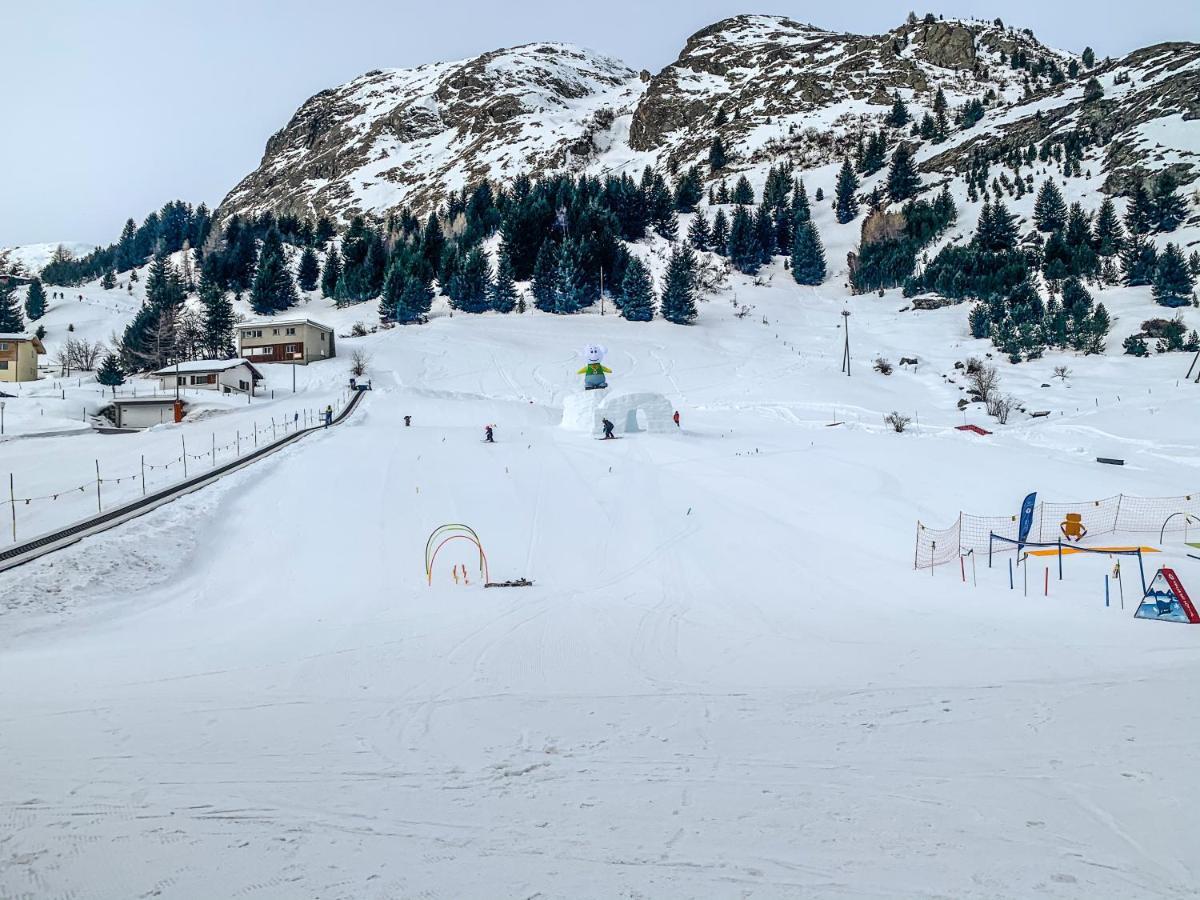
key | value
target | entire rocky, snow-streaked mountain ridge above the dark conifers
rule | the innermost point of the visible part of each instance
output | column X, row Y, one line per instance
column 773, row 89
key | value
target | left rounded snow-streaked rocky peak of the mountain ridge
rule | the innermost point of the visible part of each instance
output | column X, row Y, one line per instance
column 405, row 137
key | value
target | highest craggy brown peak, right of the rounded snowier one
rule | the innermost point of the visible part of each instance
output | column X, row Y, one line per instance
column 773, row 74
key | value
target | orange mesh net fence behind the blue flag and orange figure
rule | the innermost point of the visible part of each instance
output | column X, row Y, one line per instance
column 1121, row 514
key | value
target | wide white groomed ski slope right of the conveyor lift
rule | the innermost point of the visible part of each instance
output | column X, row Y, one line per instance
column 728, row 681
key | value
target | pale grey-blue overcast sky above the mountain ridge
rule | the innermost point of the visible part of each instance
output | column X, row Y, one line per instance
column 109, row 110
